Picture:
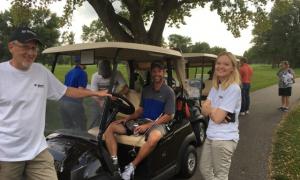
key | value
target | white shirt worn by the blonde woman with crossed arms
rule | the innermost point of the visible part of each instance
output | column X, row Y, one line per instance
column 228, row 100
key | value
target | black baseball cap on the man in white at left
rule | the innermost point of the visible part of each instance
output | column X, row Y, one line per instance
column 24, row 35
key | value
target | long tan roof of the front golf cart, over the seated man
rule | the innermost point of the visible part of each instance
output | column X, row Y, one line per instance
column 141, row 54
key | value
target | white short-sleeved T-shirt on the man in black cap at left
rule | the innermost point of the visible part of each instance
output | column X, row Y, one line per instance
column 23, row 96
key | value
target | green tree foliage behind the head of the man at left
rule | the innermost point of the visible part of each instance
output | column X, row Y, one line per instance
column 41, row 20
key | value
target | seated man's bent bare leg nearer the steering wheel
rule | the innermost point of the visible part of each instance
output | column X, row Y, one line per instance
column 110, row 139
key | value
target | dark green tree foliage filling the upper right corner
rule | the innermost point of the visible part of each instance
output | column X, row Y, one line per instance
column 278, row 38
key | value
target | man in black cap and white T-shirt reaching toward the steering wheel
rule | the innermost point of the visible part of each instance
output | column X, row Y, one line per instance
column 25, row 87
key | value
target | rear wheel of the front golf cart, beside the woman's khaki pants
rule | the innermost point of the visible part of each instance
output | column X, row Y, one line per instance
column 189, row 162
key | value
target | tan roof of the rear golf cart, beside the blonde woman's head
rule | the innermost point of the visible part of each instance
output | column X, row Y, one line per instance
column 199, row 59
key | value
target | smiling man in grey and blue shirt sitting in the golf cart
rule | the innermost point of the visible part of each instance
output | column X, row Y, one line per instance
column 158, row 105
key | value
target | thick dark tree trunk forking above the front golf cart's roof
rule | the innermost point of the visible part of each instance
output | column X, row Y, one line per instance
column 133, row 30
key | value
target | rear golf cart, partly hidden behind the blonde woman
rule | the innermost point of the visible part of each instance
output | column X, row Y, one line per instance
column 198, row 86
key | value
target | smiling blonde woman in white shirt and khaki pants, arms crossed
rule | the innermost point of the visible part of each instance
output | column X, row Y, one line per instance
column 222, row 106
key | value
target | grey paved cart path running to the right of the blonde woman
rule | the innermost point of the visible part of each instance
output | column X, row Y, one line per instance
column 250, row 161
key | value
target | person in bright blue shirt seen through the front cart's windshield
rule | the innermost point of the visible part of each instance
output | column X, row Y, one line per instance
column 71, row 109
